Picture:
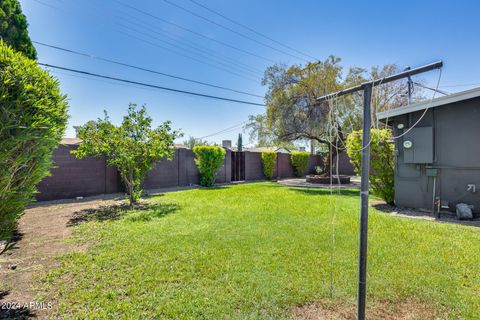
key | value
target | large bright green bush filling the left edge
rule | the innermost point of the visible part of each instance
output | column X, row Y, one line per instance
column 33, row 116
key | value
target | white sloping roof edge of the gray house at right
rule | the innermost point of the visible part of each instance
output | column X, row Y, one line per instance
column 451, row 98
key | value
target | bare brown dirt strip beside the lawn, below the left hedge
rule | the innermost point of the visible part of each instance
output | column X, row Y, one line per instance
column 41, row 235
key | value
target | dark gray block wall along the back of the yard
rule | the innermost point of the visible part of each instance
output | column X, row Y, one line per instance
column 72, row 177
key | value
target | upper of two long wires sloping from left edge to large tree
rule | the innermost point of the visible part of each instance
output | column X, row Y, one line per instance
column 144, row 69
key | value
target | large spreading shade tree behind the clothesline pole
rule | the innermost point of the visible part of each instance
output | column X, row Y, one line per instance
column 293, row 112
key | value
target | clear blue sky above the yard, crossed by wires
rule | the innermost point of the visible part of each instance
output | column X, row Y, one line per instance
column 362, row 33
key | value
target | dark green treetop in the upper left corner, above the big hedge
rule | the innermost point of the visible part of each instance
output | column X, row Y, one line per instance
column 13, row 28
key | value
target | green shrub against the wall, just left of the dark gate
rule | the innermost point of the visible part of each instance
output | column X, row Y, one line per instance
column 209, row 159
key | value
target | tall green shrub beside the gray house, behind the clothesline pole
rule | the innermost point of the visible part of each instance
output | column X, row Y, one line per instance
column 381, row 161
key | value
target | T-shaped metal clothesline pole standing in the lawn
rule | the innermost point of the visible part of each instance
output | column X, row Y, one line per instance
column 365, row 169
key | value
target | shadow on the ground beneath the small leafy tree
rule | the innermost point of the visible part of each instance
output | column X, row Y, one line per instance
column 115, row 212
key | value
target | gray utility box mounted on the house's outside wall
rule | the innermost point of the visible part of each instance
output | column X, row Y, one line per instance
column 418, row 145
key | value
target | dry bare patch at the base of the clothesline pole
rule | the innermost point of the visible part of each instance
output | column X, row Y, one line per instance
column 385, row 310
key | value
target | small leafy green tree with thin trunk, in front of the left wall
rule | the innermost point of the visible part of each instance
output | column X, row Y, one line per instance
column 133, row 147
